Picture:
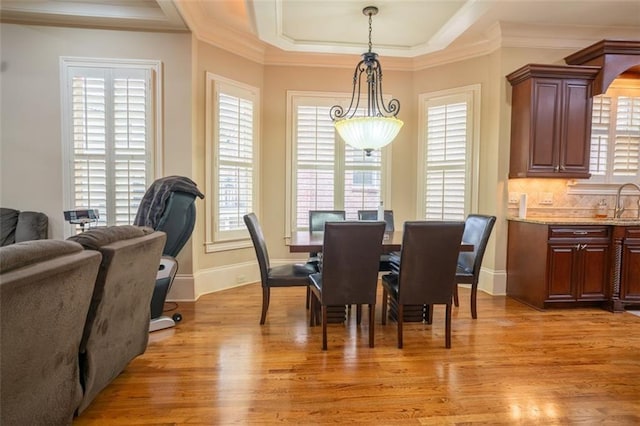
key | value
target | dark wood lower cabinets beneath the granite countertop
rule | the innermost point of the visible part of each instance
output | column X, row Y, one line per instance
column 571, row 265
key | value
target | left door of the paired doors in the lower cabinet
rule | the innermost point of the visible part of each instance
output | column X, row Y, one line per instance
column 560, row 272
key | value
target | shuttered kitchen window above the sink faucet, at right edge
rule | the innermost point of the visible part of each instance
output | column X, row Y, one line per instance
column 615, row 134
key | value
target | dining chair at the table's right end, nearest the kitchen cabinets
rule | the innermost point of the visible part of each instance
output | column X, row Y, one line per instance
column 477, row 230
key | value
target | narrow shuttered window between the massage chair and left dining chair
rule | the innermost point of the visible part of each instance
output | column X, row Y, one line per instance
column 232, row 129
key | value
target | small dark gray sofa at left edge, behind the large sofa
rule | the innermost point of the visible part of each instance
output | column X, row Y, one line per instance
column 17, row 226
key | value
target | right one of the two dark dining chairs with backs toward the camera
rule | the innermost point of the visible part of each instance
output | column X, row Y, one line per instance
column 427, row 271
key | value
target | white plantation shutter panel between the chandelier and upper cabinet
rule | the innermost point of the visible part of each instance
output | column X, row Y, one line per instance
column 445, row 160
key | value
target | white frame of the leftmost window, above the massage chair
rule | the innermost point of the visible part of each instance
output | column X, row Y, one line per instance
column 156, row 135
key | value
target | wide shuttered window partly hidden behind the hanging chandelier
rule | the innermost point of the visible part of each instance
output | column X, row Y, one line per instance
column 323, row 172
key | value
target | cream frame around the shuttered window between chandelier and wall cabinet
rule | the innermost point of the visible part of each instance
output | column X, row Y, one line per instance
column 471, row 94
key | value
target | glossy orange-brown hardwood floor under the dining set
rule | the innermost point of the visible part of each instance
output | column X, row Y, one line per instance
column 513, row 365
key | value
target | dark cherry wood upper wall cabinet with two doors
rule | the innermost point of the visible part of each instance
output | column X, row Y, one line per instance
column 551, row 120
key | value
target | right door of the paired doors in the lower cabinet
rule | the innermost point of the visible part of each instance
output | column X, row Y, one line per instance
column 594, row 270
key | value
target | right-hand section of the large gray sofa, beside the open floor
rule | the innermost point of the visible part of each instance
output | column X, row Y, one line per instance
column 117, row 327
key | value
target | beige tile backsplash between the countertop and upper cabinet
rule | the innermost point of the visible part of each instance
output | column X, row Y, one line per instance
column 549, row 198
